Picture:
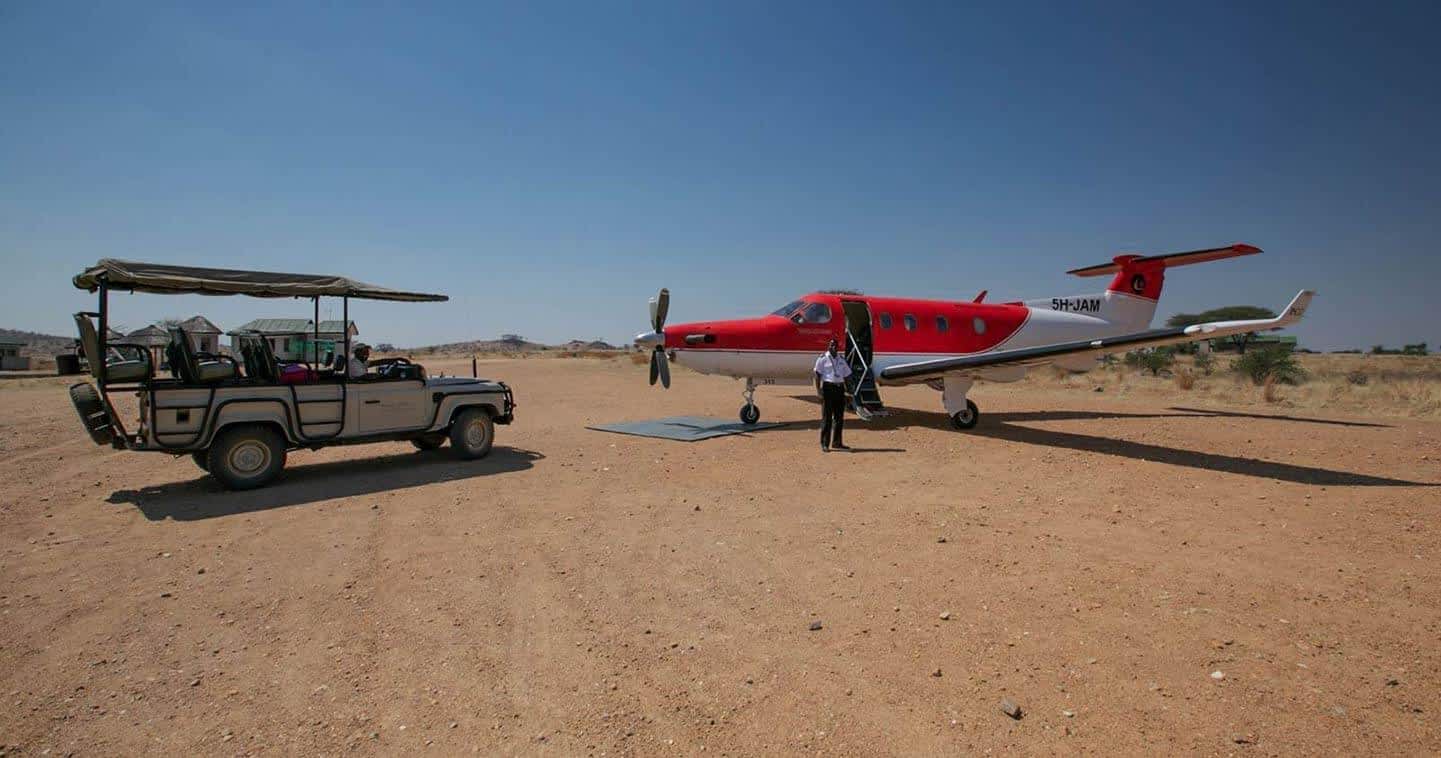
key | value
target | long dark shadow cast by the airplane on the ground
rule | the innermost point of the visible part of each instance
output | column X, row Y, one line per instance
column 1005, row 426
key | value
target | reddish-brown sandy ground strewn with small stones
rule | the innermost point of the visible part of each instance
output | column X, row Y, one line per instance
column 1094, row 560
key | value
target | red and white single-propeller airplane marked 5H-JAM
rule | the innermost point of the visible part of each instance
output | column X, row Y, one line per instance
column 946, row 345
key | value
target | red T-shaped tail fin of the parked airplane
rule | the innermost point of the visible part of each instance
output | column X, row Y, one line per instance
column 1130, row 300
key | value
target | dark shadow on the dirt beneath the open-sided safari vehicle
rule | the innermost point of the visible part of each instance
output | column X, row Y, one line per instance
column 204, row 498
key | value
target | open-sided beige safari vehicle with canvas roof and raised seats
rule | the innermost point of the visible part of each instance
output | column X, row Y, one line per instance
column 238, row 419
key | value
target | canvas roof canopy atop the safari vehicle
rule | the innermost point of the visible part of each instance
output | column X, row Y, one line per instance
column 164, row 279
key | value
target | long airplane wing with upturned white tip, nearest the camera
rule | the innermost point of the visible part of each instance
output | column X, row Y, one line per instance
column 1044, row 354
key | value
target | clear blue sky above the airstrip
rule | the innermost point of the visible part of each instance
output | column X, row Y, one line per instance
column 550, row 166
